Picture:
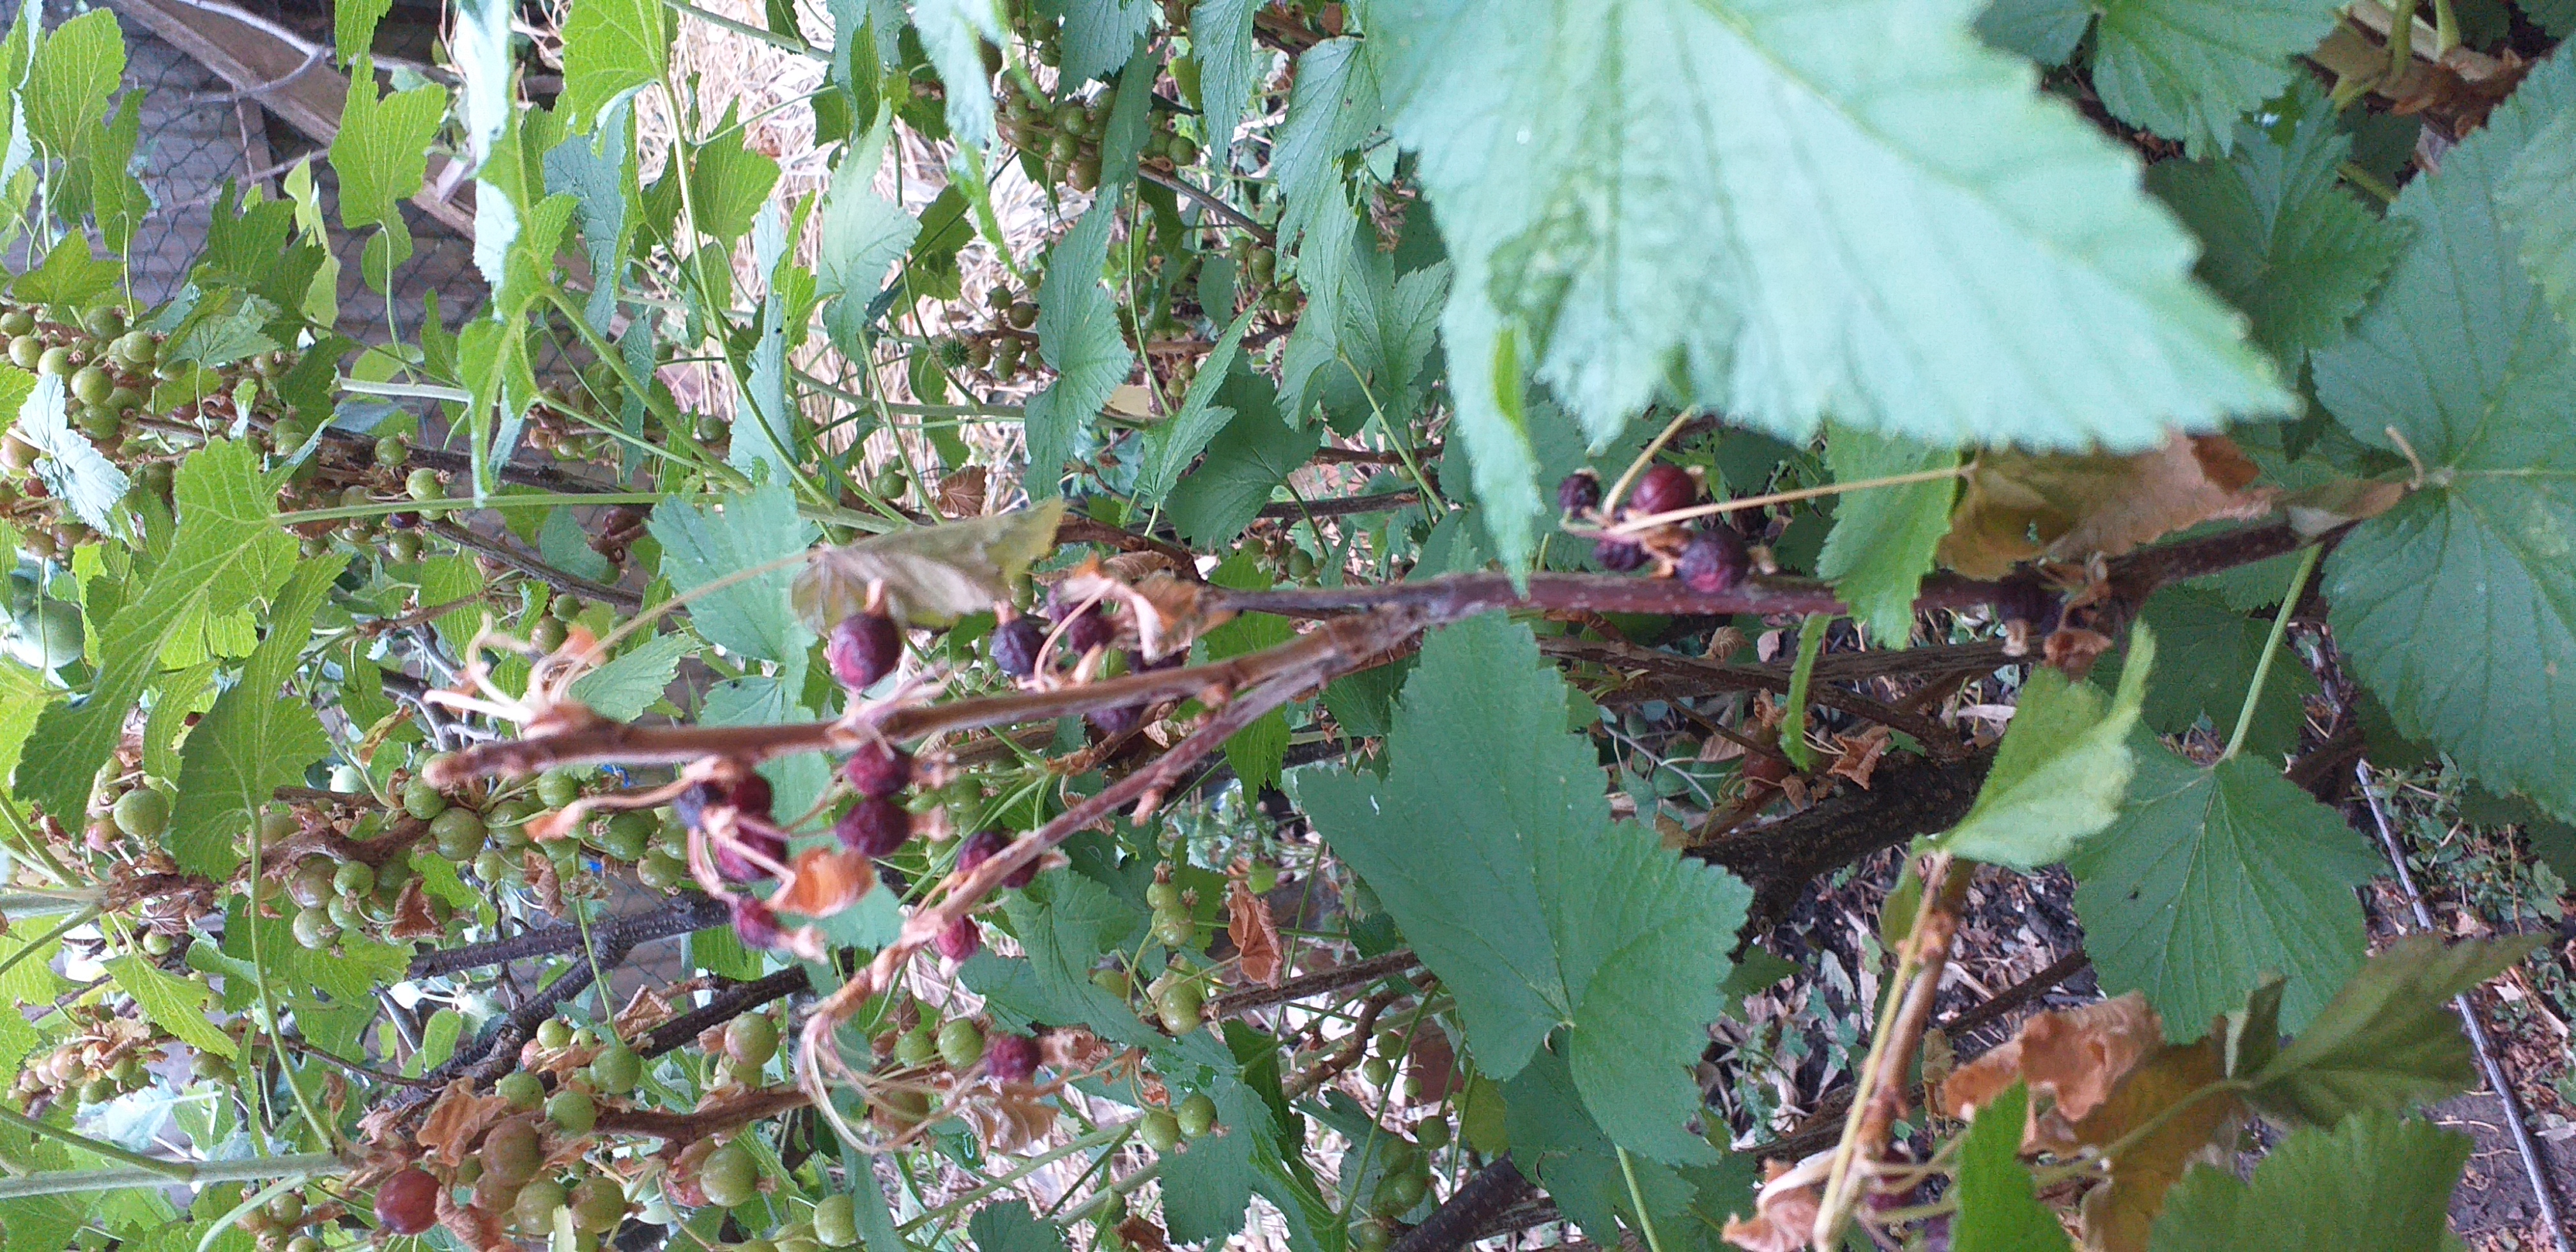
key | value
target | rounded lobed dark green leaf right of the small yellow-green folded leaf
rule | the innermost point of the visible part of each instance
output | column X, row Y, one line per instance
column 2217, row 880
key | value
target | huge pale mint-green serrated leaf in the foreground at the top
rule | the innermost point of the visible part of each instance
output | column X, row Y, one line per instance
column 1792, row 210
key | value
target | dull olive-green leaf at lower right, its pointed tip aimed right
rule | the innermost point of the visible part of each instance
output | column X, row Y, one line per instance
column 2389, row 1039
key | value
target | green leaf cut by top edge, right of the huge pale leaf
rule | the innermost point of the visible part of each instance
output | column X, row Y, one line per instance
column 2191, row 68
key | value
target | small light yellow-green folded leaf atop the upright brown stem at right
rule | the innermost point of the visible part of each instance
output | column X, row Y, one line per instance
column 2060, row 772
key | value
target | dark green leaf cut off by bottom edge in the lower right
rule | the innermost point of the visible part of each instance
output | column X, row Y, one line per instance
column 2369, row 1186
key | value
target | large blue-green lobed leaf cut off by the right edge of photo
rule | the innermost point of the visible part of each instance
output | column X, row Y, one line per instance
column 2459, row 607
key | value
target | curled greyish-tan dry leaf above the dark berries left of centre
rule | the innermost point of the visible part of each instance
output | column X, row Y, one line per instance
column 931, row 573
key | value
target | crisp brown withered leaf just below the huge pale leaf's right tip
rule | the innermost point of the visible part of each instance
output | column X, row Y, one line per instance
column 2021, row 506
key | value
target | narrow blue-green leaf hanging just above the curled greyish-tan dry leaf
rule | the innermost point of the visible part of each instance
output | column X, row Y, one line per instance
column 1078, row 336
